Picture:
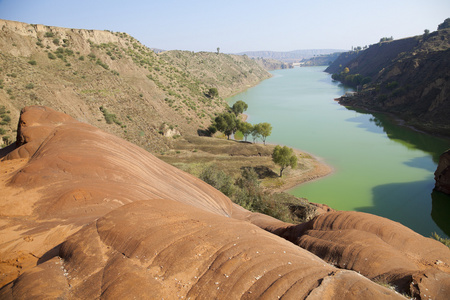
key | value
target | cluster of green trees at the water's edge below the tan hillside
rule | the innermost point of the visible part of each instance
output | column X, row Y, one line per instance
column 229, row 123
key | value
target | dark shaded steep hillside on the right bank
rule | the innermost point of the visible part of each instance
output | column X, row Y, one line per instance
column 408, row 77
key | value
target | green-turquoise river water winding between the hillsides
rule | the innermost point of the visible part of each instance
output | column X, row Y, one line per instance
column 380, row 167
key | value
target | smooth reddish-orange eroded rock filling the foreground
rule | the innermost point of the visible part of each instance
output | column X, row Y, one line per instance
column 86, row 215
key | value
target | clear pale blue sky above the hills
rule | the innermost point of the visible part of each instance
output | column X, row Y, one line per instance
column 236, row 26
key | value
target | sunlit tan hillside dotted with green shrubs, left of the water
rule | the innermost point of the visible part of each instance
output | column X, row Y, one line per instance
column 112, row 81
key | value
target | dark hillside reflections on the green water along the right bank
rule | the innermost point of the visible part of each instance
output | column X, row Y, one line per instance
column 411, row 207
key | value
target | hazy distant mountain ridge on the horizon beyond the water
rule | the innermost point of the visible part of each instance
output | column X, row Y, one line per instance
column 290, row 56
